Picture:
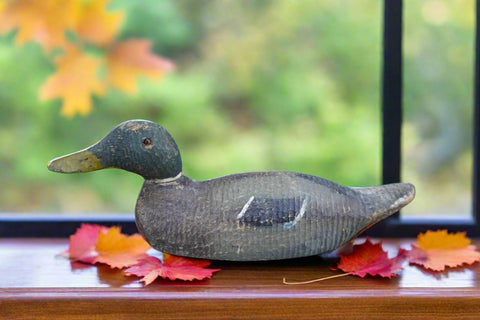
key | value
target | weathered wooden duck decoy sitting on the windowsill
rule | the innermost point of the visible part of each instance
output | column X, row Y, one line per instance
column 240, row 217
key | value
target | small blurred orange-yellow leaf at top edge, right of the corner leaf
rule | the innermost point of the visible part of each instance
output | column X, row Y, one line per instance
column 96, row 25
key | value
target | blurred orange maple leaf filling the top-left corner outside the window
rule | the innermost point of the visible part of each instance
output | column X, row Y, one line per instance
column 44, row 21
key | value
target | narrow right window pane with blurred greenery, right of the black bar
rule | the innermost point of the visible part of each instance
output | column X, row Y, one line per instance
column 438, row 107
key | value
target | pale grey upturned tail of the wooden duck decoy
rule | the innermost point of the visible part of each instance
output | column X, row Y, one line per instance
column 382, row 201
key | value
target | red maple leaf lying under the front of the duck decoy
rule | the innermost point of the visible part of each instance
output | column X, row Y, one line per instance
column 173, row 268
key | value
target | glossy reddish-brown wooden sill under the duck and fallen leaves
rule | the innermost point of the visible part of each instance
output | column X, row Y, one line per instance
column 35, row 283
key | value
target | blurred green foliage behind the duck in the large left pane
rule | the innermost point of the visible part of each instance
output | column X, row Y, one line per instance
column 259, row 85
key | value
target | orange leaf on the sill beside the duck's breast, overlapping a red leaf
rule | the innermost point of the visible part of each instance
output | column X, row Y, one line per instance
column 119, row 250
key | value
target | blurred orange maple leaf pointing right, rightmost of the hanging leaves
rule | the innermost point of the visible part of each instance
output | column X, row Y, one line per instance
column 129, row 59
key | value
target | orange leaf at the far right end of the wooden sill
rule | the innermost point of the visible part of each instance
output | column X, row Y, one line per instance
column 436, row 250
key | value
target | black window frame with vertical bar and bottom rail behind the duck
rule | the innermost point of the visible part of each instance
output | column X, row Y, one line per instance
column 16, row 225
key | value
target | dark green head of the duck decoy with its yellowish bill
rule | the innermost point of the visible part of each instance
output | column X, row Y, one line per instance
column 138, row 146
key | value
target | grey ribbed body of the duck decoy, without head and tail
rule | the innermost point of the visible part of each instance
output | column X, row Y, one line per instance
column 251, row 216
